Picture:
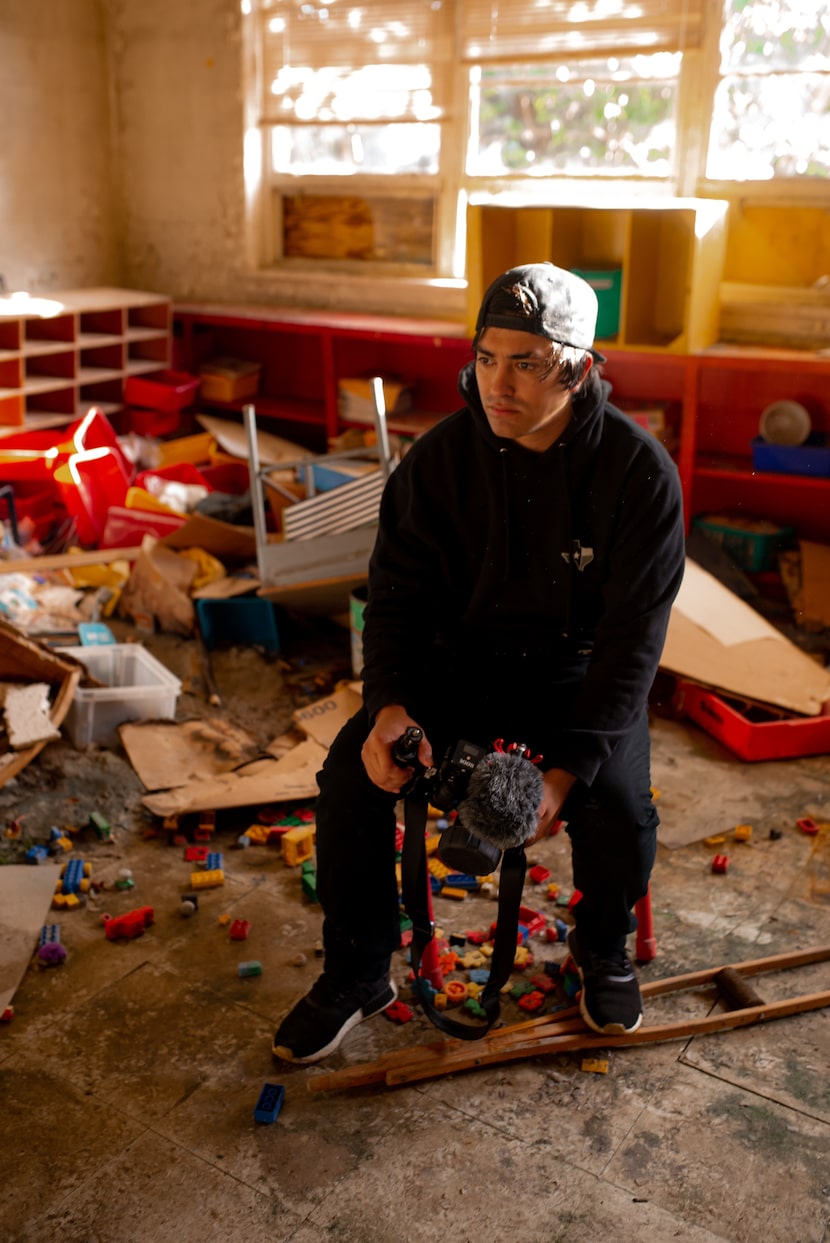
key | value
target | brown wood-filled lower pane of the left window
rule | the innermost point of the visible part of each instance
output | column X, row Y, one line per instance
column 358, row 228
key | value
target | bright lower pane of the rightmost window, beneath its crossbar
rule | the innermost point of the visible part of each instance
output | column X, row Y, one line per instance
column 772, row 126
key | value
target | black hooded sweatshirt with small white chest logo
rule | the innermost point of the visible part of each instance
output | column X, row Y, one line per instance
column 539, row 561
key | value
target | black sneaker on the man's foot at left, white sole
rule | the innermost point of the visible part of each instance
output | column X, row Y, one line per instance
column 320, row 1020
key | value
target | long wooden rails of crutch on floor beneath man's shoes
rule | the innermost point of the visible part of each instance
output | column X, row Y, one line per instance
column 565, row 1031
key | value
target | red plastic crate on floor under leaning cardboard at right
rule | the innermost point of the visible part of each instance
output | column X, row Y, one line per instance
column 754, row 732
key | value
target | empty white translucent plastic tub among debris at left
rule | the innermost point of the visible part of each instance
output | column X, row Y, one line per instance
column 137, row 688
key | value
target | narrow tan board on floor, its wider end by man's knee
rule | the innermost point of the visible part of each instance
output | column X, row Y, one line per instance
column 265, row 781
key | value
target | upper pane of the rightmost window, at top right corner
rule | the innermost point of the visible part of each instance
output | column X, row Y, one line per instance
column 776, row 35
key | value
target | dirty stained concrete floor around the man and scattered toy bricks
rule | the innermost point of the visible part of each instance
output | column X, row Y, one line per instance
column 129, row 1076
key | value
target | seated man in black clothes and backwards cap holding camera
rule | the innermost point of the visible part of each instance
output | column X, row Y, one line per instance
column 529, row 554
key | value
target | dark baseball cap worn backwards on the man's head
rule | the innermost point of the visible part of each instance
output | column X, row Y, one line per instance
column 545, row 300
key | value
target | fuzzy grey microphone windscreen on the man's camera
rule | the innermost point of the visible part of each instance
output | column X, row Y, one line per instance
column 503, row 800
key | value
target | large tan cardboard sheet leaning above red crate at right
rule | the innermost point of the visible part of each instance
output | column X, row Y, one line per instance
column 716, row 640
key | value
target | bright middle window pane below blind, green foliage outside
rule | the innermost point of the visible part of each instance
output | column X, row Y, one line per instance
column 611, row 116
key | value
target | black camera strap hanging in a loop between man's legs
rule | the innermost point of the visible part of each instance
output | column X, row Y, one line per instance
column 414, row 887
